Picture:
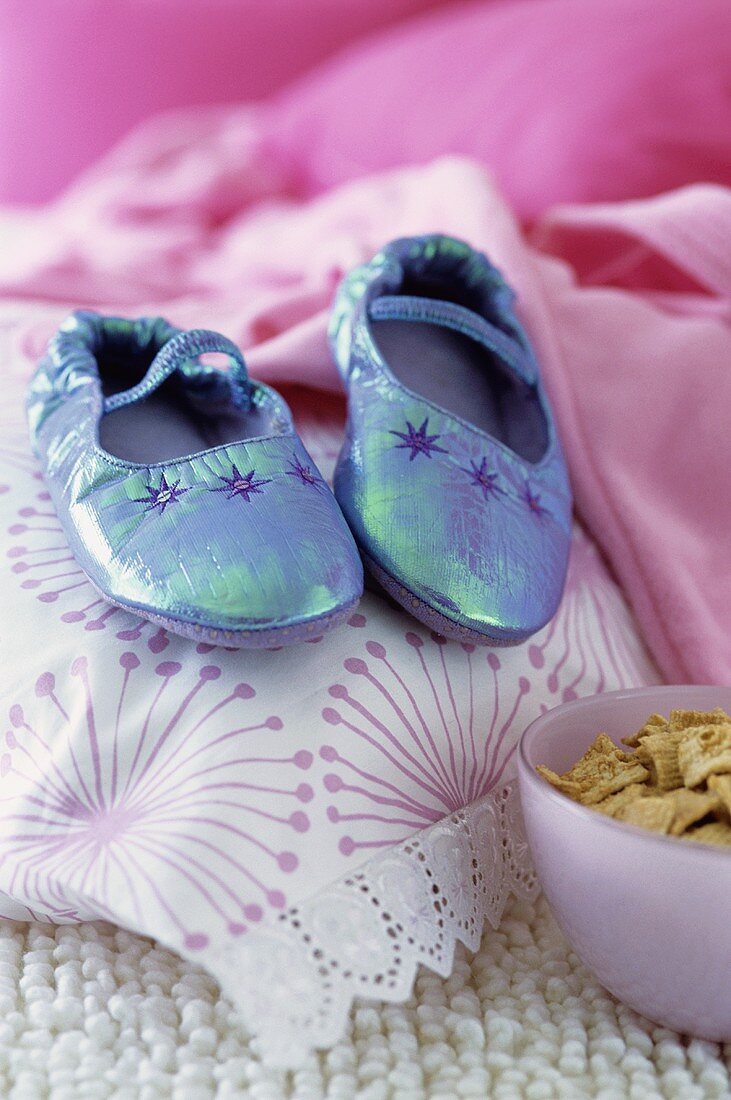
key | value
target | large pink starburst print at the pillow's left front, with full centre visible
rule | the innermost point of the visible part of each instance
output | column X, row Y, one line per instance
column 169, row 805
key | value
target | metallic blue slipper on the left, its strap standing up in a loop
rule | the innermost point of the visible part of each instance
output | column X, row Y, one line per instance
column 185, row 492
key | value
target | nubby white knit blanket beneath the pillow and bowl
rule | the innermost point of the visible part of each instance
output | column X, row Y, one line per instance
column 88, row 1011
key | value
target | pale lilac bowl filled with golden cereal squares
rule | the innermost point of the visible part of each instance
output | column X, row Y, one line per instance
column 627, row 802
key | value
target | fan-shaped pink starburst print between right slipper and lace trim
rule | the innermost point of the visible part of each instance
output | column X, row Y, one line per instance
column 434, row 753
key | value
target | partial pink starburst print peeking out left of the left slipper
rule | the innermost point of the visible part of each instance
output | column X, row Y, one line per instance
column 46, row 566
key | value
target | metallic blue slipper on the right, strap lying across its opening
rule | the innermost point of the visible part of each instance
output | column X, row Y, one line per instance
column 452, row 477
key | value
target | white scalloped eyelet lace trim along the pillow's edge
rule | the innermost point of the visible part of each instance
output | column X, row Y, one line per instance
column 367, row 934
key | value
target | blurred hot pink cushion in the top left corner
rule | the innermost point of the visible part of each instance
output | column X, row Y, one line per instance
column 76, row 75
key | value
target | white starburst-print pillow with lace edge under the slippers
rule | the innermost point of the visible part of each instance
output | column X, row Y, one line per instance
column 211, row 798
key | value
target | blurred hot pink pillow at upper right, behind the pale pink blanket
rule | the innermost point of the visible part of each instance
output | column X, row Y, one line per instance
column 566, row 101
